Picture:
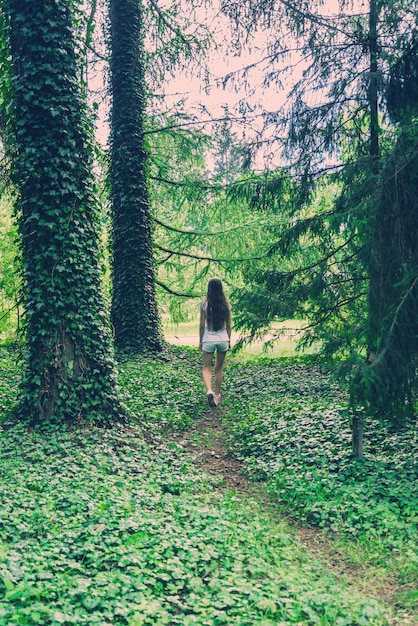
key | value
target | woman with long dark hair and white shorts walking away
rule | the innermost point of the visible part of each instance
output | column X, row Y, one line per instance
column 215, row 335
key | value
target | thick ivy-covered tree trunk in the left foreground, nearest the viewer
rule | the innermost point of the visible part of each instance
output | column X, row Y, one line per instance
column 70, row 372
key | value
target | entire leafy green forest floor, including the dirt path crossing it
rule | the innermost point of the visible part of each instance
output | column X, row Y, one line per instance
column 253, row 513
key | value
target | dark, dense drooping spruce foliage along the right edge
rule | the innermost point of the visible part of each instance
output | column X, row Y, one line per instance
column 393, row 259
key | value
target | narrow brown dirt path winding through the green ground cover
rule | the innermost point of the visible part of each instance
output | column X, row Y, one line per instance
column 207, row 445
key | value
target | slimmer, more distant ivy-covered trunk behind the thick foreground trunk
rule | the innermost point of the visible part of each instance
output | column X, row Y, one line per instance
column 134, row 310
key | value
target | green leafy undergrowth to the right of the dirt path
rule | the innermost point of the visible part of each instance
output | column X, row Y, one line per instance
column 288, row 423
